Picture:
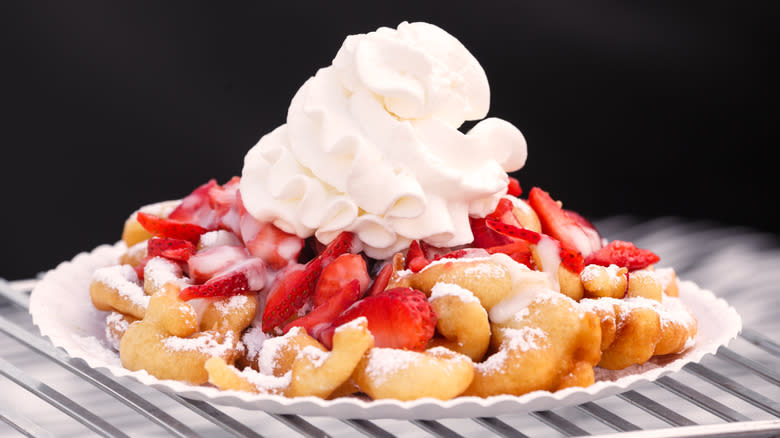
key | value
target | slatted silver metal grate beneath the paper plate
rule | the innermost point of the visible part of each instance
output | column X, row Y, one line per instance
column 731, row 394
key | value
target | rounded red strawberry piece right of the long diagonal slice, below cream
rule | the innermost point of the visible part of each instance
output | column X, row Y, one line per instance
column 338, row 274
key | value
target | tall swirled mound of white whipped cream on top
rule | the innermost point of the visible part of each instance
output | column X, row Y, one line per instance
column 372, row 146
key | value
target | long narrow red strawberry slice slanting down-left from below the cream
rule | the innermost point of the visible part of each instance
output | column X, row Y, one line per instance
column 285, row 301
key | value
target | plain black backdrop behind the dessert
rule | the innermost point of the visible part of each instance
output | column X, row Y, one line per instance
column 637, row 108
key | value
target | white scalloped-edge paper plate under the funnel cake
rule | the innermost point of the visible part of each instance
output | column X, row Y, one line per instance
column 61, row 308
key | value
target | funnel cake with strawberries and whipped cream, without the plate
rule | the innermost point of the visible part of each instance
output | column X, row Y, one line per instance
column 371, row 248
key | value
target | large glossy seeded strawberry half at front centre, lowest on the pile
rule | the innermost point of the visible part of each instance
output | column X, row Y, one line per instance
column 397, row 318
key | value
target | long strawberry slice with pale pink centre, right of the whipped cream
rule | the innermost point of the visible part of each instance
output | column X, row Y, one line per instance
column 564, row 226
